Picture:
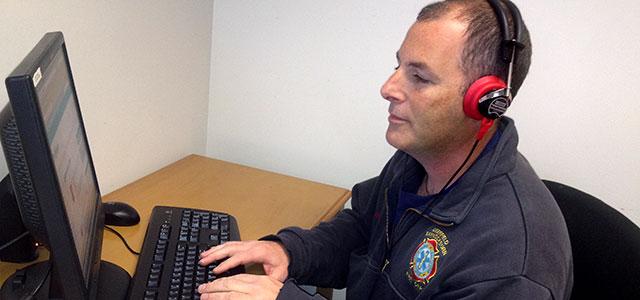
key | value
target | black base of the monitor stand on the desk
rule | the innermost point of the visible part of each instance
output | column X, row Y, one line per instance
column 113, row 282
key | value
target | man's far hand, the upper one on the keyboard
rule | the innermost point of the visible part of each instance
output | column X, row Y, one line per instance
column 271, row 255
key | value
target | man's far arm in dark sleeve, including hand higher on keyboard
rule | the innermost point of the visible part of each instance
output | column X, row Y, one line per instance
column 318, row 256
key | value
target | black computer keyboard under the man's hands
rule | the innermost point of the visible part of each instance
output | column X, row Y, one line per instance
column 168, row 264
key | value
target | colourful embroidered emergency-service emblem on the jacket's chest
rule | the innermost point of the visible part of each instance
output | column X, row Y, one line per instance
column 424, row 261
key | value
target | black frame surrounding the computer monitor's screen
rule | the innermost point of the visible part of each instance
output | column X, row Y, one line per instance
column 67, row 272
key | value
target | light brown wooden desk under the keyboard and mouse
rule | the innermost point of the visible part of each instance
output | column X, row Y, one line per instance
column 262, row 202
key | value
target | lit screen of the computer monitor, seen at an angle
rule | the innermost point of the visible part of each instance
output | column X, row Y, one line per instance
column 73, row 166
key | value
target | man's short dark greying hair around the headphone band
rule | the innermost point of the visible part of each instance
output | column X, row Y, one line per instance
column 482, row 50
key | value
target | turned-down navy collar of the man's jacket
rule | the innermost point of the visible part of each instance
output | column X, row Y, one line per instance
column 455, row 205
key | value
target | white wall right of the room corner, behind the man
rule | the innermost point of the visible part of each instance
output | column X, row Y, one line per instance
column 294, row 89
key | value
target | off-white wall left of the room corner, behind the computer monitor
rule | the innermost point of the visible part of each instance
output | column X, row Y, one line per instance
column 141, row 70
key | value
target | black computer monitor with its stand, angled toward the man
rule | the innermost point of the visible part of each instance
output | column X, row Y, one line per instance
column 52, row 173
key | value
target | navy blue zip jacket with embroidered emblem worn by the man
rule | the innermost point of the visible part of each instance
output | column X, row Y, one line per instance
column 497, row 234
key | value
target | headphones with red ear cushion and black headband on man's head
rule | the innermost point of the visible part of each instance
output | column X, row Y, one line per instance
column 489, row 97
